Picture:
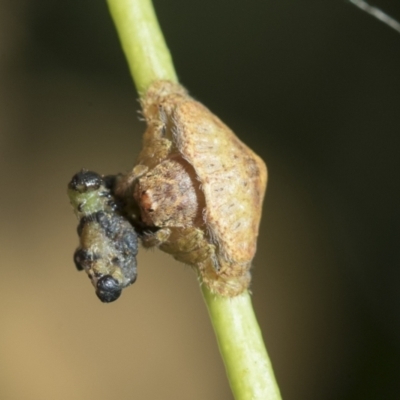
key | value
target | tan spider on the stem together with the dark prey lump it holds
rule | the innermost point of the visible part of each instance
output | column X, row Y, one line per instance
column 196, row 192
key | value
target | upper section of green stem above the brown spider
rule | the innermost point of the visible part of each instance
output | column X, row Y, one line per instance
column 142, row 41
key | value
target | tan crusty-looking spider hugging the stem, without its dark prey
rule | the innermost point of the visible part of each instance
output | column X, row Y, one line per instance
column 199, row 186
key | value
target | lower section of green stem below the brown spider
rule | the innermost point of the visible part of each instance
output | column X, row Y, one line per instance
column 242, row 347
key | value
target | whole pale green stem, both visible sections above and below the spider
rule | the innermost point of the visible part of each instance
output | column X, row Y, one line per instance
column 242, row 348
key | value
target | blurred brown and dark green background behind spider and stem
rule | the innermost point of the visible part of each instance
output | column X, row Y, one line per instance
column 314, row 88
